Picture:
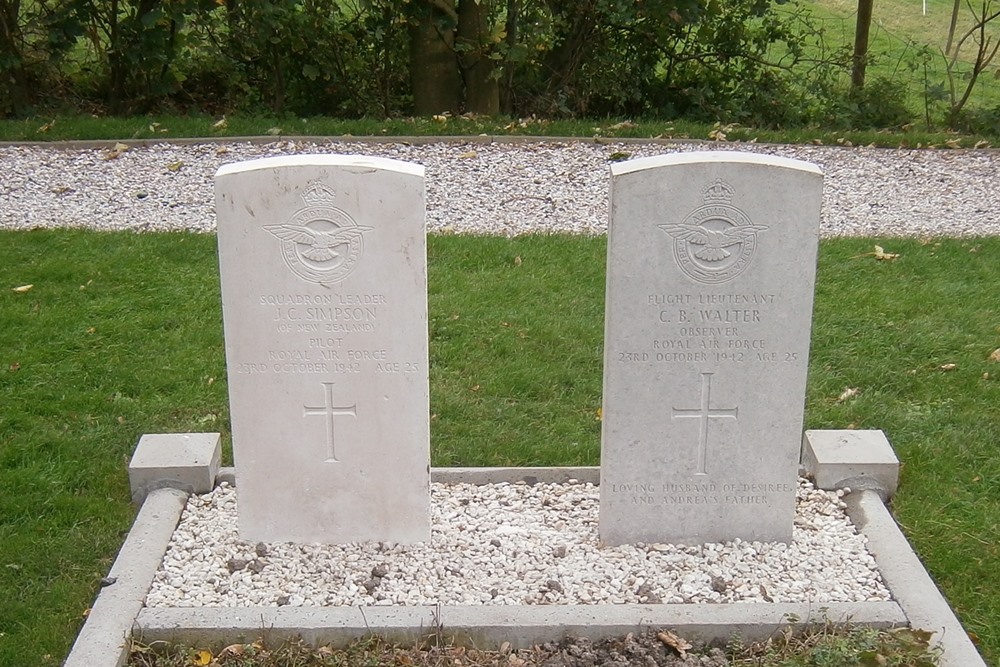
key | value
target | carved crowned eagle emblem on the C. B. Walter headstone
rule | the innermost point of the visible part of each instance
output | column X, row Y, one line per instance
column 716, row 241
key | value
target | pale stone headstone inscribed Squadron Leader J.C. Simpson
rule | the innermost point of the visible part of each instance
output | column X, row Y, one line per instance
column 324, row 294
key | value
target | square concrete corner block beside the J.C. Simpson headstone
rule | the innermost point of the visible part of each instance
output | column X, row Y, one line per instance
column 185, row 461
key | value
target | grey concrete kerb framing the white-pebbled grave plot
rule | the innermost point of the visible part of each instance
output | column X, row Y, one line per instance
column 119, row 611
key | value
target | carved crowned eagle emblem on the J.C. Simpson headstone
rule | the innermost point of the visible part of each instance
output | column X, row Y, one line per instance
column 320, row 243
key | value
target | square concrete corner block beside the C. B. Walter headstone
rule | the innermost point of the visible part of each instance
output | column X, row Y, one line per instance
column 851, row 458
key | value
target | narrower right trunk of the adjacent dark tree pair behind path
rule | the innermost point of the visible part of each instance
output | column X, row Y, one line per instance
column 472, row 41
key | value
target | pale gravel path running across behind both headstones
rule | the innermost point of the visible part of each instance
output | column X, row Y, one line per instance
column 497, row 188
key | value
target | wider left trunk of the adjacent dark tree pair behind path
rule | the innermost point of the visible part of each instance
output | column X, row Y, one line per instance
column 434, row 73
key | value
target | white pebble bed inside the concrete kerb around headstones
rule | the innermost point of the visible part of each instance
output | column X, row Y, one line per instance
column 513, row 544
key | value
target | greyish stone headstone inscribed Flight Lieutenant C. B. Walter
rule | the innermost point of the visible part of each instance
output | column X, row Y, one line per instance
column 711, row 269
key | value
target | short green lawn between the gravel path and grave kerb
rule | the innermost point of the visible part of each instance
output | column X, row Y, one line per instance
column 121, row 335
